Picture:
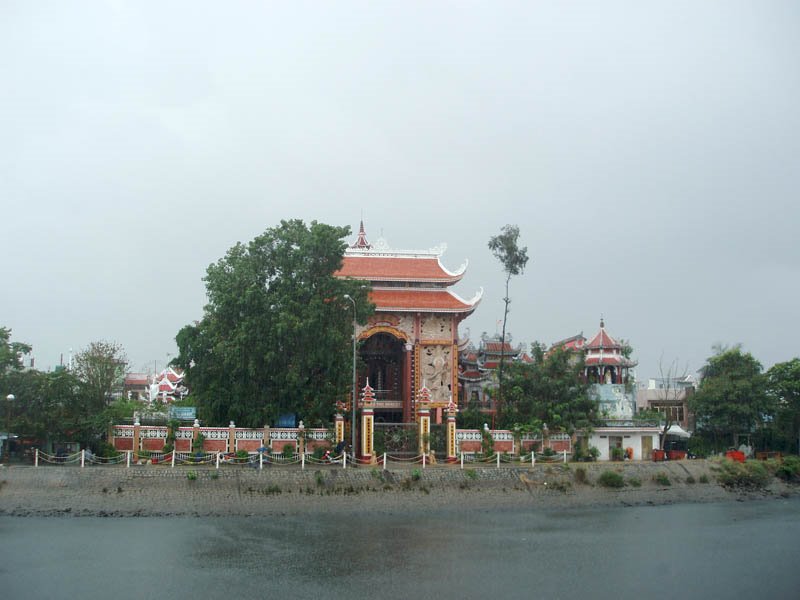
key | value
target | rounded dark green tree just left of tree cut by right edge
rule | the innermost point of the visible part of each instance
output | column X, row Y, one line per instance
column 732, row 397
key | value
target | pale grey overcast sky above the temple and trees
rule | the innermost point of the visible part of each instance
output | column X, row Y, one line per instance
column 648, row 151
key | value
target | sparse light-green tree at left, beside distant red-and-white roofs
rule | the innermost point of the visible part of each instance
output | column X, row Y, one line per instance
column 100, row 367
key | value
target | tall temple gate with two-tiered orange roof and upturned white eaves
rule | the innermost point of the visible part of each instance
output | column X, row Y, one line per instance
column 411, row 341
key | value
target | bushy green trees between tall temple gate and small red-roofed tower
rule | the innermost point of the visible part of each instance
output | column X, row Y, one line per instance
column 549, row 391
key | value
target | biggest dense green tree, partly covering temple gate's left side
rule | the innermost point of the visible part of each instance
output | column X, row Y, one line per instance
column 276, row 333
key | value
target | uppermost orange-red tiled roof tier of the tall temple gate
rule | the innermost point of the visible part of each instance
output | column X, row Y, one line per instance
column 393, row 268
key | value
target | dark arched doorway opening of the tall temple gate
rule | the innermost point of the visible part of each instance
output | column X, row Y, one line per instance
column 383, row 356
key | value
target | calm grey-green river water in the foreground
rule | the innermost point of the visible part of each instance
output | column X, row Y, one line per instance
column 730, row 550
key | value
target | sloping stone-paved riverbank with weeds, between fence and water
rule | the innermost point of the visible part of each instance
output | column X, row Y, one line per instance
column 243, row 491
